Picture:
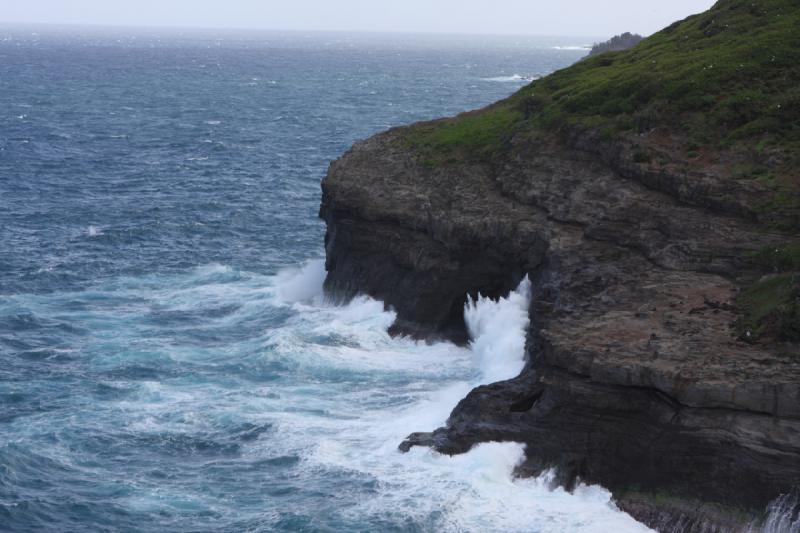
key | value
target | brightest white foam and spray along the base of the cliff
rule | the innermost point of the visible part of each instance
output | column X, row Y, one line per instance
column 475, row 491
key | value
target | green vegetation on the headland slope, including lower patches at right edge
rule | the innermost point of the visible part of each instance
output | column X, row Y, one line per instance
column 721, row 86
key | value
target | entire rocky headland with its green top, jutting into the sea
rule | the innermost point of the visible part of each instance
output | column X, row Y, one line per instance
column 652, row 198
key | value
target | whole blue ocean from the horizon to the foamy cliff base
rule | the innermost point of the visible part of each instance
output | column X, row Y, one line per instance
column 167, row 360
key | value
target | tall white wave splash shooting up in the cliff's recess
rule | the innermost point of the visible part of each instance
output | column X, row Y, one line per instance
column 497, row 329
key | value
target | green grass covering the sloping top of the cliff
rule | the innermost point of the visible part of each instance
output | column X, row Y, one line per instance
column 727, row 77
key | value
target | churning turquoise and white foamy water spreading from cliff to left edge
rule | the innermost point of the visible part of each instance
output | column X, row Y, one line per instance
column 329, row 426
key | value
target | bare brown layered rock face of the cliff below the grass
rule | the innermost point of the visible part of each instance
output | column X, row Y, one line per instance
column 639, row 374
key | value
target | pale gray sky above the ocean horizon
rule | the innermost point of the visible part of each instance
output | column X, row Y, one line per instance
column 537, row 17
